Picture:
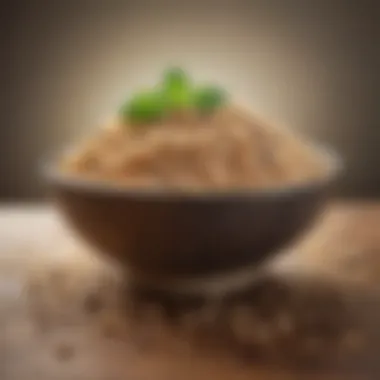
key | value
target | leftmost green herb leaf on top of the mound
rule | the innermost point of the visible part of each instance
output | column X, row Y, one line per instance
column 145, row 107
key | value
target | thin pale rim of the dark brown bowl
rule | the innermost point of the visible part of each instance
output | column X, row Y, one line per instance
column 63, row 180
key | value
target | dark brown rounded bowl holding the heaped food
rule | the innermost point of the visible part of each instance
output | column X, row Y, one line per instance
column 166, row 233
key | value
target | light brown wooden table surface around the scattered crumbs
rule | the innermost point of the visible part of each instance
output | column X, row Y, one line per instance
column 344, row 245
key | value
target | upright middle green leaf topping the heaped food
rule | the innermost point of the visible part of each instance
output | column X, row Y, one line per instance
column 176, row 89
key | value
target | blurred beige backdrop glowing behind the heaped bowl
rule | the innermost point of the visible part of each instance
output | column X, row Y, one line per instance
column 311, row 65
